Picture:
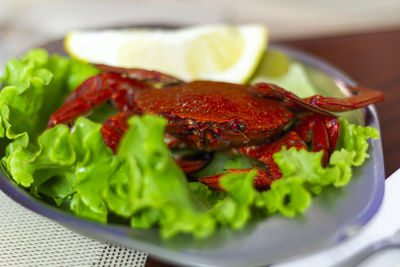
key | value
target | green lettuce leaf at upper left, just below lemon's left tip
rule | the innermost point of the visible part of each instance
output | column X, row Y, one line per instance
column 34, row 87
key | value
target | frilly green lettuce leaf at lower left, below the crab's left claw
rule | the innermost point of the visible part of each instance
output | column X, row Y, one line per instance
column 73, row 164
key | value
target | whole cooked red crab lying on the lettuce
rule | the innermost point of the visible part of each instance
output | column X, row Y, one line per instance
column 253, row 120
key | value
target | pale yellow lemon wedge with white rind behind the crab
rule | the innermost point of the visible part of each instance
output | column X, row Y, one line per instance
column 208, row 52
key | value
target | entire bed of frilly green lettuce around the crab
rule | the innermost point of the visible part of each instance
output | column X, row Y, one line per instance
column 74, row 169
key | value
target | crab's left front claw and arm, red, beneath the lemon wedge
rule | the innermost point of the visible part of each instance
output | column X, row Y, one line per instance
column 118, row 84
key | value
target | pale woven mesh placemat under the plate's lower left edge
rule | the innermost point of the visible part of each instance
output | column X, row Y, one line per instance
column 29, row 239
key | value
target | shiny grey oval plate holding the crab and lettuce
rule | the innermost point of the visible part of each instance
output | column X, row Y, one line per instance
column 333, row 216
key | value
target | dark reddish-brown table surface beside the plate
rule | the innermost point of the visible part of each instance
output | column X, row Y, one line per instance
column 372, row 60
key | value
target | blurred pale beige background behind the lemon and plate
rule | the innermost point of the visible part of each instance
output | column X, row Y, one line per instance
column 24, row 23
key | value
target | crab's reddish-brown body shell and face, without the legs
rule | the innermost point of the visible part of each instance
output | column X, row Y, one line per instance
column 214, row 115
